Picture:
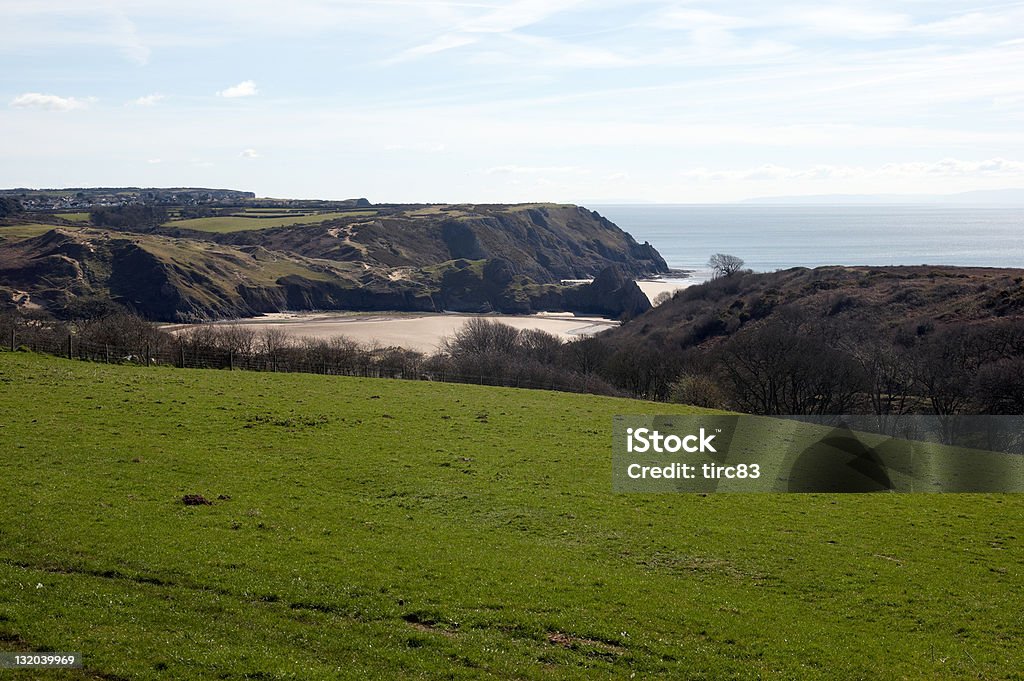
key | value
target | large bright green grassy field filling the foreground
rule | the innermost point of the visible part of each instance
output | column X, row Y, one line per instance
column 374, row 529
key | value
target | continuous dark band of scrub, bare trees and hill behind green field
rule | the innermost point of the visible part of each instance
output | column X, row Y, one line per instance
column 845, row 340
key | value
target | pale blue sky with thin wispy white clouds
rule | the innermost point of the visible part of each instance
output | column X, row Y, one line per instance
column 488, row 101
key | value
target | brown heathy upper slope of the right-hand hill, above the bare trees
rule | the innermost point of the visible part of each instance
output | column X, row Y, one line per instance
column 864, row 302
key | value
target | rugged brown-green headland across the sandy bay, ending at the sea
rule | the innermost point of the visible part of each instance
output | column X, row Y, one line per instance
column 507, row 260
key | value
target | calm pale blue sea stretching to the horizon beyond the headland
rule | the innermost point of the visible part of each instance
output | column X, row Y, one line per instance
column 770, row 237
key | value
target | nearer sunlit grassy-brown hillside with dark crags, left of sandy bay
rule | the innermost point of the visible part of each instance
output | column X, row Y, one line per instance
column 158, row 278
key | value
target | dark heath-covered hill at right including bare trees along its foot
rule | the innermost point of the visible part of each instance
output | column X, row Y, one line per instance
column 836, row 340
